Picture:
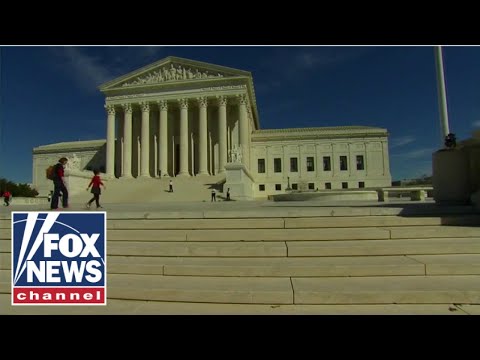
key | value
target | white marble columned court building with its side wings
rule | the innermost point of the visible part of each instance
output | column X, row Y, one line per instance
column 184, row 118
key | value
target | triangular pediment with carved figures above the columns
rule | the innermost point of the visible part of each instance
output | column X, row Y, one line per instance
column 173, row 69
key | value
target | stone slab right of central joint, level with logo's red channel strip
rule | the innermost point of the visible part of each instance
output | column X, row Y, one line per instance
column 388, row 290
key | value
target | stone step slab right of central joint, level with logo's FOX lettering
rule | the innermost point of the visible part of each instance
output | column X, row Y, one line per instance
column 384, row 247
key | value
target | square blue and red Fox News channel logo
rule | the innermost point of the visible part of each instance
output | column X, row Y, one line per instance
column 59, row 258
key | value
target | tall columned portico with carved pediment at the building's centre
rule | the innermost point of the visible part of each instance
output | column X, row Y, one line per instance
column 177, row 118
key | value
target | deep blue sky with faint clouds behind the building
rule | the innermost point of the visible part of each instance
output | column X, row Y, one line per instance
column 49, row 94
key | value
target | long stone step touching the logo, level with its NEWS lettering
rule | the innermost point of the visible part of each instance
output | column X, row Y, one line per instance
column 267, row 267
